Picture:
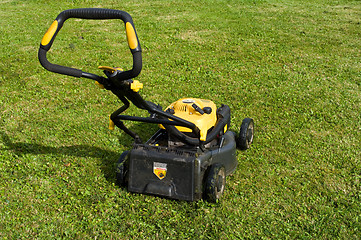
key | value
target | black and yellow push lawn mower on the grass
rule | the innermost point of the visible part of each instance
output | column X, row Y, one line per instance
column 192, row 152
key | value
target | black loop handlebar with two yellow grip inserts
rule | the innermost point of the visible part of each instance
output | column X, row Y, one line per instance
column 91, row 13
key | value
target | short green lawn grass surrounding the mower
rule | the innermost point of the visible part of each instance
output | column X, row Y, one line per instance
column 293, row 66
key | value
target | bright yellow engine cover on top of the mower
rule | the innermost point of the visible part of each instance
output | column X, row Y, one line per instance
column 183, row 109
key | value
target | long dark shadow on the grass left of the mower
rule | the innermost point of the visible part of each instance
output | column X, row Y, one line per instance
column 108, row 158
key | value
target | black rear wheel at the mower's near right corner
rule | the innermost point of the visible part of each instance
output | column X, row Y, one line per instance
column 215, row 183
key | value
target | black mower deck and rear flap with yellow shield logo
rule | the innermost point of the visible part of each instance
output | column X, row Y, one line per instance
column 174, row 172
